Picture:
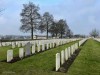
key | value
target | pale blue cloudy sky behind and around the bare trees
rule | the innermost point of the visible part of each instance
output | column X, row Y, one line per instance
column 81, row 15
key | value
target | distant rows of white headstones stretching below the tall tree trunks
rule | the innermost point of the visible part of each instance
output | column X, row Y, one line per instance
column 22, row 43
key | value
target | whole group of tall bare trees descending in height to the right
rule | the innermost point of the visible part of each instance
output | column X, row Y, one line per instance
column 32, row 21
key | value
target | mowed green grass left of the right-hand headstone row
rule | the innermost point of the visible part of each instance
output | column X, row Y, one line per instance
column 39, row 64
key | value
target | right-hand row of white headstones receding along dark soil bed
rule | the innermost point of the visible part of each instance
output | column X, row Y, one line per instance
column 66, row 54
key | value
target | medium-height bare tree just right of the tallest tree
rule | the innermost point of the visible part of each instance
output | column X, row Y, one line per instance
column 46, row 22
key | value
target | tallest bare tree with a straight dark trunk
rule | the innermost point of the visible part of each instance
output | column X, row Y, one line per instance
column 30, row 18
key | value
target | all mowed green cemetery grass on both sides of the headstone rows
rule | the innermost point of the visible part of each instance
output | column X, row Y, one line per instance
column 86, row 63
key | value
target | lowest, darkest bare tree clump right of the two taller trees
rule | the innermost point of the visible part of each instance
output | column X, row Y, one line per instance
column 59, row 28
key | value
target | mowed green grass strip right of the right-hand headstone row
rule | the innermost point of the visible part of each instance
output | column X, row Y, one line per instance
column 88, row 61
